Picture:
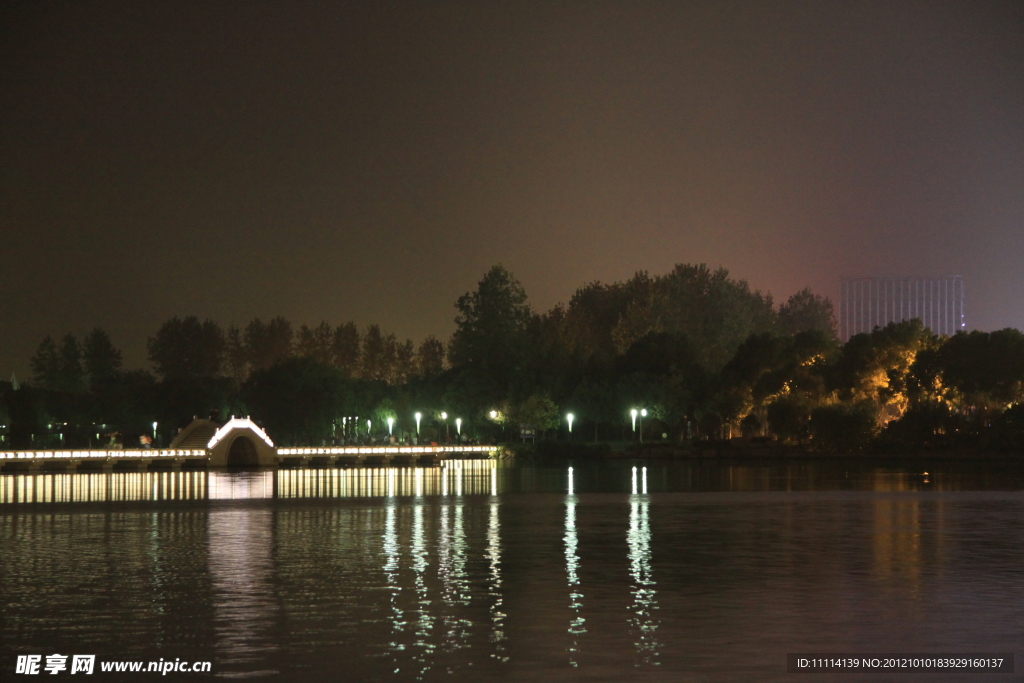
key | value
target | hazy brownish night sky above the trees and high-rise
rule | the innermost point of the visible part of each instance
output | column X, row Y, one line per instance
column 370, row 162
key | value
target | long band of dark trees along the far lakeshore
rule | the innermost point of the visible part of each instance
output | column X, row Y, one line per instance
column 703, row 354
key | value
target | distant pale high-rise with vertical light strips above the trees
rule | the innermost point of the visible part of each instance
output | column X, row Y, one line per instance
column 869, row 303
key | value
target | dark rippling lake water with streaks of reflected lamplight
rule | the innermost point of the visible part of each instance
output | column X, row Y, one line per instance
column 478, row 571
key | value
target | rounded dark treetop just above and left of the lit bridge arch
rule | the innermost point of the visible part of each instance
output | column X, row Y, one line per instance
column 188, row 350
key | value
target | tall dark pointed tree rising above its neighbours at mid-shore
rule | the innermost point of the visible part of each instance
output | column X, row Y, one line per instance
column 491, row 327
